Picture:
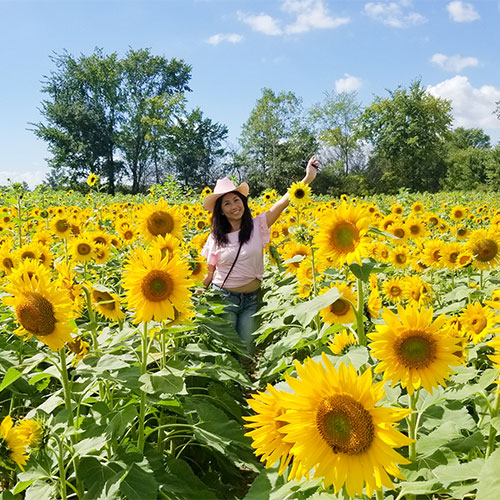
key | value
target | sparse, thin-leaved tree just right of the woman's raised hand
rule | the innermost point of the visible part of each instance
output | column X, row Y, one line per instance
column 336, row 121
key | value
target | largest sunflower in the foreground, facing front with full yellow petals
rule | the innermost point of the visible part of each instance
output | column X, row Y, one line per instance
column 338, row 432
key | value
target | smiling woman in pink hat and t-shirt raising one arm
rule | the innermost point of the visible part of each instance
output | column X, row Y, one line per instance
column 234, row 249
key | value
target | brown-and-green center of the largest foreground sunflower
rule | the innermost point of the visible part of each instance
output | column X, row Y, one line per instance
column 345, row 424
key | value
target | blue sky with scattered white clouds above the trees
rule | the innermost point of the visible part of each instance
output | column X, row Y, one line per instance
column 238, row 47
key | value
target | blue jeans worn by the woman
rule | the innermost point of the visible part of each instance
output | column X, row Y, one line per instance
column 240, row 311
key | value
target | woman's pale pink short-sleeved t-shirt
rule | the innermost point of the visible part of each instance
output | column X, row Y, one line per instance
column 250, row 263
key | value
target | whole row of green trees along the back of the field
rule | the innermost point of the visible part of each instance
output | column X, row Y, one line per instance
column 127, row 121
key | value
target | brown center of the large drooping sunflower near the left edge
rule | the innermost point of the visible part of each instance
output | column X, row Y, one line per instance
column 36, row 314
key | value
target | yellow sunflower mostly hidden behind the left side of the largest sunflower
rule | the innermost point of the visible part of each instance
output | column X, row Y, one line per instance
column 267, row 438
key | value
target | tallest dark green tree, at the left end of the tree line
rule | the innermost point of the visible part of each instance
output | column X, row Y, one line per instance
column 95, row 110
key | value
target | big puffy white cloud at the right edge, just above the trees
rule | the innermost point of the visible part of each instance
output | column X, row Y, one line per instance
column 472, row 107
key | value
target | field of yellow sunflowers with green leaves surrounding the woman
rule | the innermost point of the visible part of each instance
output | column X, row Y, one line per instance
column 376, row 373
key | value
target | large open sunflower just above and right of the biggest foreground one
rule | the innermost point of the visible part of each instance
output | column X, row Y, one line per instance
column 412, row 348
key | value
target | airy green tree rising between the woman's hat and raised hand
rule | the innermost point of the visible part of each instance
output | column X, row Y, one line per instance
column 274, row 141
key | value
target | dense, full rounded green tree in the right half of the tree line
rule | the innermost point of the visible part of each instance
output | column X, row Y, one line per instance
column 408, row 132
